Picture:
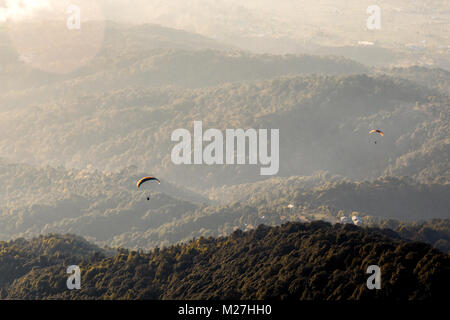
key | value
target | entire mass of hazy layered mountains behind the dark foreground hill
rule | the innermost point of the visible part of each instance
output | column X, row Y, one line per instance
column 110, row 122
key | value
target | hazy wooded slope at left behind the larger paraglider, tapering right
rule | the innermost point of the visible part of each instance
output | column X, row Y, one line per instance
column 93, row 204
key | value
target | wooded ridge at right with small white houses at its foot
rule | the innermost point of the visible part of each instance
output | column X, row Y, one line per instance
column 402, row 198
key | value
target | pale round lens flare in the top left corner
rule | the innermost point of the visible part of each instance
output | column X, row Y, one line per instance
column 52, row 35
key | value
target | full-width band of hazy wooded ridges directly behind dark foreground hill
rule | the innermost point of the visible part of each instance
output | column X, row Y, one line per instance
column 108, row 209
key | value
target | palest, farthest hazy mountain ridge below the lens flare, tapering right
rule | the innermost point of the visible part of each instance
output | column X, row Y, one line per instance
column 151, row 55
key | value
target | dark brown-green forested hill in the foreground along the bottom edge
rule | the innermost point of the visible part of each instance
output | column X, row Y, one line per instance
column 294, row 261
